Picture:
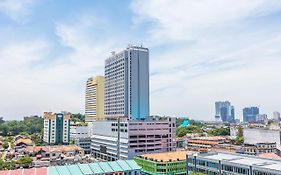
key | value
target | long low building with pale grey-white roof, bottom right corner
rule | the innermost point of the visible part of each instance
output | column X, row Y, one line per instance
column 232, row 164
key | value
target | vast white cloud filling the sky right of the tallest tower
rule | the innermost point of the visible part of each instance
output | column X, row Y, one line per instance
column 212, row 52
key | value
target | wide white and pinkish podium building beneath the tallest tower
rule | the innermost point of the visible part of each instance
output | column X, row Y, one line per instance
column 125, row 139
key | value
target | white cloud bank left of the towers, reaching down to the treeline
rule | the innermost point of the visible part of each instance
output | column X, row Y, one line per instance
column 34, row 79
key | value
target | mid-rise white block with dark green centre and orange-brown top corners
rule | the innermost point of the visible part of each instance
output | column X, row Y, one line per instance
column 56, row 128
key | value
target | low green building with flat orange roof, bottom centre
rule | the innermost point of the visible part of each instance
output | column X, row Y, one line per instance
column 163, row 163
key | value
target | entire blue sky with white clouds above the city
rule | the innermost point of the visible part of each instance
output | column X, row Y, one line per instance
column 201, row 51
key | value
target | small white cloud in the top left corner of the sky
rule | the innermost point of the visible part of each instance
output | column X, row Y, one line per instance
column 16, row 9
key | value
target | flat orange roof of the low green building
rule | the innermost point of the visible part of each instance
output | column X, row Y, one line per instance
column 167, row 156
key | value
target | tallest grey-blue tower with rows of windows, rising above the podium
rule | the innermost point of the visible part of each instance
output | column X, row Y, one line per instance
column 127, row 83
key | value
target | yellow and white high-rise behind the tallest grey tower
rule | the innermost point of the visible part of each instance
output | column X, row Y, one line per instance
column 94, row 103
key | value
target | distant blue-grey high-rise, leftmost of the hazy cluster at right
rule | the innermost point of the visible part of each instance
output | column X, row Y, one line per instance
column 224, row 111
